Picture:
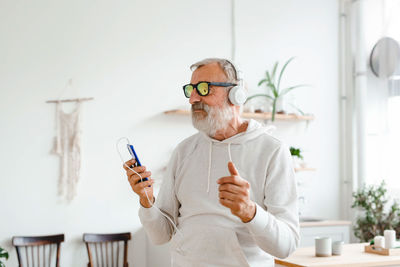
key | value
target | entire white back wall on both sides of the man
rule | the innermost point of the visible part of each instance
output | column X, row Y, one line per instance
column 133, row 57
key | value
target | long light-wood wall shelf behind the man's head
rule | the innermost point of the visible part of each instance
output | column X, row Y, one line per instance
column 260, row 116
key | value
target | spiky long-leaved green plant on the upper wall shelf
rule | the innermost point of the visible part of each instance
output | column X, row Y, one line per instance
column 272, row 83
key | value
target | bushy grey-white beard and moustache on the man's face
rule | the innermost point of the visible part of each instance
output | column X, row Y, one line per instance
column 217, row 118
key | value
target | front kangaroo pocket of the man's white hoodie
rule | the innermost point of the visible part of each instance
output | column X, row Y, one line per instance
column 210, row 244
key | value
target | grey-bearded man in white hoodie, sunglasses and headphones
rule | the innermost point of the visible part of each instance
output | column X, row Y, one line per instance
column 230, row 188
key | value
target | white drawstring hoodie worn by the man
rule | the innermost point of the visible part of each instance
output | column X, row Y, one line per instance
column 211, row 234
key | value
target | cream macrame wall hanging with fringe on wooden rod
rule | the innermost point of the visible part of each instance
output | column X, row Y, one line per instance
column 67, row 145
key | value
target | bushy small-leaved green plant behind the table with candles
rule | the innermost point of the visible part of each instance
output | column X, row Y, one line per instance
column 374, row 219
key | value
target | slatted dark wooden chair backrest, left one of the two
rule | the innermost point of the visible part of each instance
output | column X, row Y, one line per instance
column 38, row 250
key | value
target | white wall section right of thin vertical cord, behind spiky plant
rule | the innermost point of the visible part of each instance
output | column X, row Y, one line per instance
column 277, row 30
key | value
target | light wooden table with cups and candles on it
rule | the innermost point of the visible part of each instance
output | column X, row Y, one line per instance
column 352, row 255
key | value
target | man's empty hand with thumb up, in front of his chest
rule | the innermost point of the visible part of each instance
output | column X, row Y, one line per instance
column 234, row 194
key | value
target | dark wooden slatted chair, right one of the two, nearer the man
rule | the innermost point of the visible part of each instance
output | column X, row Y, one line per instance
column 107, row 250
